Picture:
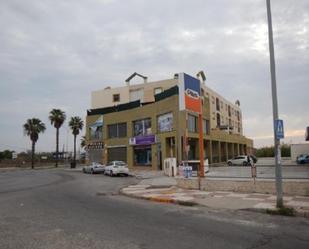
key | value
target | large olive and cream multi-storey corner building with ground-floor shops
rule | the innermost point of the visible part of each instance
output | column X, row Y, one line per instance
column 145, row 123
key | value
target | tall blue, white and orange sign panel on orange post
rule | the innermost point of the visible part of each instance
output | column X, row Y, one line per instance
column 189, row 93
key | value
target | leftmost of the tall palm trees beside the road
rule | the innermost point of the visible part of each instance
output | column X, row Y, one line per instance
column 32, row 128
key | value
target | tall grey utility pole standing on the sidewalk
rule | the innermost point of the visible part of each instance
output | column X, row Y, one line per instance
column 275, row 107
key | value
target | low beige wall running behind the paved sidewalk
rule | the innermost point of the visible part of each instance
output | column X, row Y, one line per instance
column 290, row 187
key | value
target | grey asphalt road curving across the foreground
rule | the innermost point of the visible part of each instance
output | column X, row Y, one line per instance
column 61, row 209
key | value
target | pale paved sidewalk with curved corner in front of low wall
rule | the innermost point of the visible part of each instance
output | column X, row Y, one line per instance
column 217, row 199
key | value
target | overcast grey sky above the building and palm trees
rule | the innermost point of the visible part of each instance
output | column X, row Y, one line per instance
column 54, row 53
